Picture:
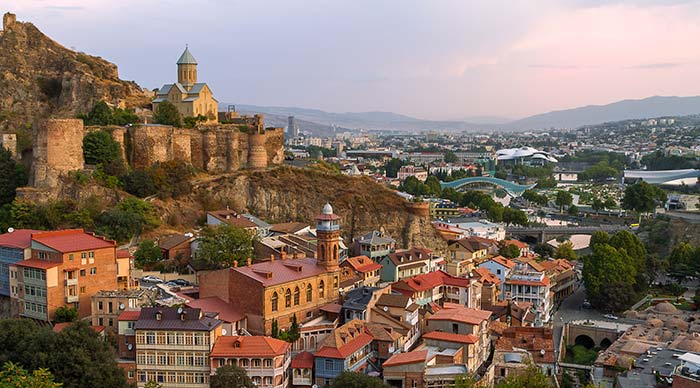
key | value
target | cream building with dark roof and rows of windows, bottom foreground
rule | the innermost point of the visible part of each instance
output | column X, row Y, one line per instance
column 173, row 346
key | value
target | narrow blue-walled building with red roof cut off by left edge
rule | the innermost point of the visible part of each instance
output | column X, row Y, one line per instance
column 15, row 245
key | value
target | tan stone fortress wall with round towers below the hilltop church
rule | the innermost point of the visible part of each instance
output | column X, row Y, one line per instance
column 215, row 148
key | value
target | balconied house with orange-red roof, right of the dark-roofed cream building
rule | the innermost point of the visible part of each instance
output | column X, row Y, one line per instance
column 266, row 360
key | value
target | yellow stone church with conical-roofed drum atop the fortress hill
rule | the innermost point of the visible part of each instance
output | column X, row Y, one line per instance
column 190, row 97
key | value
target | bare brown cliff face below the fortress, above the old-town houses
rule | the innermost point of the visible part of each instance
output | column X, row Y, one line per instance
column 292, row 194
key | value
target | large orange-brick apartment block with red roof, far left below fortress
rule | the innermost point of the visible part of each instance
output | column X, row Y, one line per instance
column 66, row 268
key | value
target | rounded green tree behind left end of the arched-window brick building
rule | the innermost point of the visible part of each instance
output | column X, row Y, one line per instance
column 220, row 246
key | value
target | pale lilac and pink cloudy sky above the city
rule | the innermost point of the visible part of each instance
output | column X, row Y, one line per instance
column 433, row 59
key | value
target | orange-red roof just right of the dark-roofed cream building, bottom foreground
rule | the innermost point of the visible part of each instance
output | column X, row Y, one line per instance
column 249, row 346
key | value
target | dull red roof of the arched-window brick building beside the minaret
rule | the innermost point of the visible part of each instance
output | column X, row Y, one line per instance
column 270, row 273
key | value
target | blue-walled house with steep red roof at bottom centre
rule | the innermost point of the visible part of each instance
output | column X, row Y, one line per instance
column 347, row 348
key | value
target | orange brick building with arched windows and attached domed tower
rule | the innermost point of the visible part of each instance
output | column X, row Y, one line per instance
column 284, row 286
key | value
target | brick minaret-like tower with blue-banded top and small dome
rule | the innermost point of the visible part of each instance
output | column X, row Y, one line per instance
column 328, row 236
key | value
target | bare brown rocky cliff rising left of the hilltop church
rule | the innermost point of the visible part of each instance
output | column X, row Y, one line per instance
column 40, row 78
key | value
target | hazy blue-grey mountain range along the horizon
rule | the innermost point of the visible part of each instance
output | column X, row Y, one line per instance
column 319, row 122
